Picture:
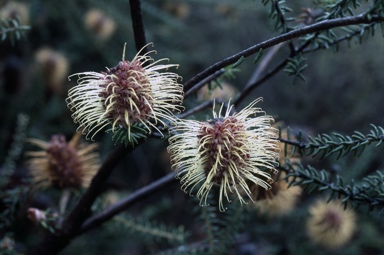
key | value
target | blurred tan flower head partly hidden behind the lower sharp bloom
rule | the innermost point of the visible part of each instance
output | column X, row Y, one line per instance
column 277, row 201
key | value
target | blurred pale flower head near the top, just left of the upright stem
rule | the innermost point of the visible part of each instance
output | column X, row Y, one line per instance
column 99, row 23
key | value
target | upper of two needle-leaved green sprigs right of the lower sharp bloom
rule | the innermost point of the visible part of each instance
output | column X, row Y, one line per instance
column 326, row 145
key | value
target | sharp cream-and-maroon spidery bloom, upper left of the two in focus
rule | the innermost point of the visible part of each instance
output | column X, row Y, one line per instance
column 133, row 92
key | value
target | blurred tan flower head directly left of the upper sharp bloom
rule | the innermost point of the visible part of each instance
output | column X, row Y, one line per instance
column 54, row 66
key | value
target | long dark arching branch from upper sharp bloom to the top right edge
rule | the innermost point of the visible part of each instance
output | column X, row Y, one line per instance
column 320, row 26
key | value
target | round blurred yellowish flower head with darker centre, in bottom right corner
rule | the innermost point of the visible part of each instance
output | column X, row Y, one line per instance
column 329, row 224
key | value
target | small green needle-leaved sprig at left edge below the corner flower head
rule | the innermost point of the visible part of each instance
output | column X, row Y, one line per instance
column 12, row 29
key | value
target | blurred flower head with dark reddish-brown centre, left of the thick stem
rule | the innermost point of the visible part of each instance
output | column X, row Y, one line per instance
column 63, row 165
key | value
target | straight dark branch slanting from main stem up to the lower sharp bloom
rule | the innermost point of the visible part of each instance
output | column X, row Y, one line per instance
column 125, row 203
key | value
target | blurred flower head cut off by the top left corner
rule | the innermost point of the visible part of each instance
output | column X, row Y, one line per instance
column 15, row 10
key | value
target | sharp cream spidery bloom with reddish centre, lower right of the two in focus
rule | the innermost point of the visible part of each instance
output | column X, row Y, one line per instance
column 230, row 151
